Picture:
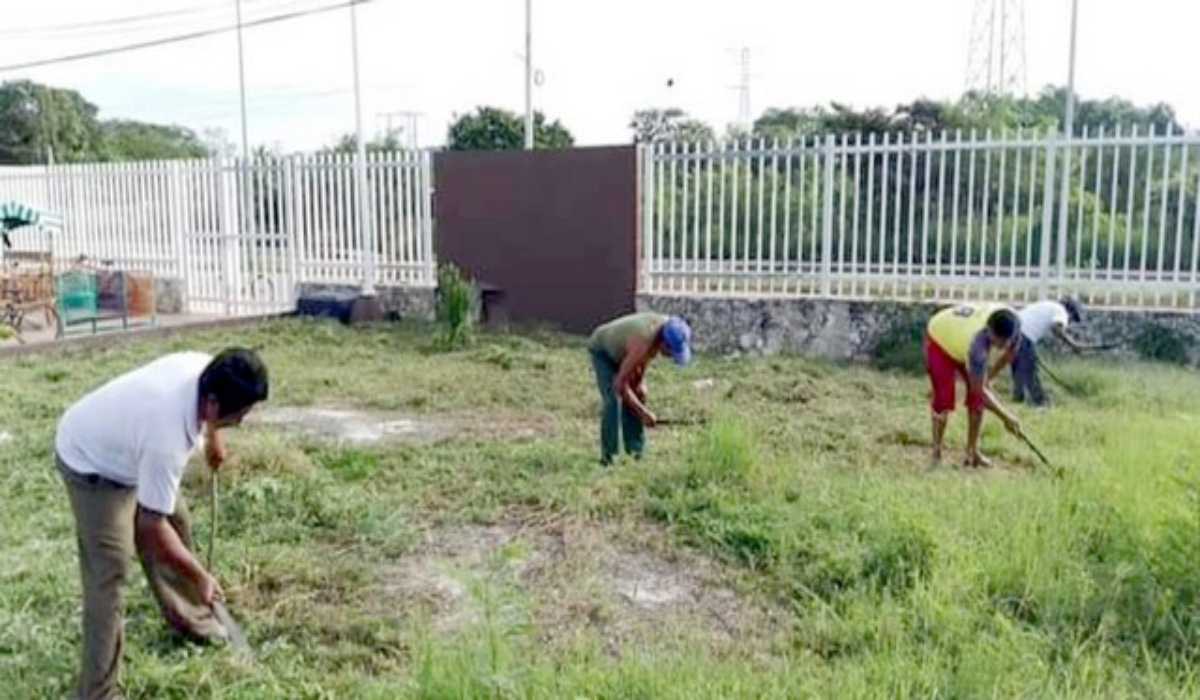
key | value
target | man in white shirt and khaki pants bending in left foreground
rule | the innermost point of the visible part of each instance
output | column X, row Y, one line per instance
column 122, row 452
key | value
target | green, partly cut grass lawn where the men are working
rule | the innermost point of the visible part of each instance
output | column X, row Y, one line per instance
column 461, row 540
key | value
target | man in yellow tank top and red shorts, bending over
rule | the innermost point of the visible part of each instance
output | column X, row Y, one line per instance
column 959, row 342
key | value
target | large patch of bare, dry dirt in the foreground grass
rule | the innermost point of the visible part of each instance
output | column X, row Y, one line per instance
column 572, row 581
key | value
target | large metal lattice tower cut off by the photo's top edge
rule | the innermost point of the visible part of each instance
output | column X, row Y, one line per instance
column 997, row 63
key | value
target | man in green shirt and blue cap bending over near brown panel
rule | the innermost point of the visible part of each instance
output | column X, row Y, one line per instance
column 621, row 351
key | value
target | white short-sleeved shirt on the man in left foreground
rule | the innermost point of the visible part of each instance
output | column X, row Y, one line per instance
column 140, row 429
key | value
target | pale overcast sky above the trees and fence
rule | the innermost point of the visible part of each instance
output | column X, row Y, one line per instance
column 601, row 61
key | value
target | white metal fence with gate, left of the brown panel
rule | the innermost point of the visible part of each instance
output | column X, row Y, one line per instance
column 241, row 238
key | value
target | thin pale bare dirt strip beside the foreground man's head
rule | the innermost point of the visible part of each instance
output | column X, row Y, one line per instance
column 356, row 427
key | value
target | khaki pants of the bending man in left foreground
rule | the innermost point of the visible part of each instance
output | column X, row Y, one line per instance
column 104, row 513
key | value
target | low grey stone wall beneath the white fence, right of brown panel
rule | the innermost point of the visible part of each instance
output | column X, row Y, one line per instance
column 850, row 331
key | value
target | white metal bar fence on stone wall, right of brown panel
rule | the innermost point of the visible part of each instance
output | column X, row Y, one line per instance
column 927, row 218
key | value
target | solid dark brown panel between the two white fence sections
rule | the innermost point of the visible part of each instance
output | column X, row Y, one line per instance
column 555, row 231
